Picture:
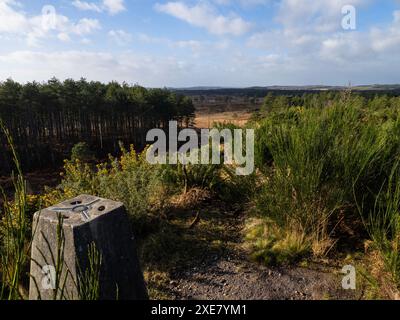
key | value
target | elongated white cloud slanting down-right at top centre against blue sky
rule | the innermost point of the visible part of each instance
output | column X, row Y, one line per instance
column 203, row 15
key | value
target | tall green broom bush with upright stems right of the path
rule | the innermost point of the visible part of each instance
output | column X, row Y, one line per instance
column 318, row 163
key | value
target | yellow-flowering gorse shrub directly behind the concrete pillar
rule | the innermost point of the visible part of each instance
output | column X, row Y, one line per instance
column 128, row 178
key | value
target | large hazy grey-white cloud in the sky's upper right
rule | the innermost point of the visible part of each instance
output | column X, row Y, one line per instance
column 313, row 29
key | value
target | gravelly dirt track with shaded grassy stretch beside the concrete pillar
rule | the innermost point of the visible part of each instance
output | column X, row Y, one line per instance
column 208, row 262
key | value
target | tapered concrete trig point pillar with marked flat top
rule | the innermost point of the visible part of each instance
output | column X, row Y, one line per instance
column 86, row 220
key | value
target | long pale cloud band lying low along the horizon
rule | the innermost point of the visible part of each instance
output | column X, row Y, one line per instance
column 231, row 67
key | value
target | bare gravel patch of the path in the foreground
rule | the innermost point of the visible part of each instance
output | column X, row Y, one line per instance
column 235, row 278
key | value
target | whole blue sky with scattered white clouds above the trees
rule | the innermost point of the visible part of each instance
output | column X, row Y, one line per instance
column 233, row 43
